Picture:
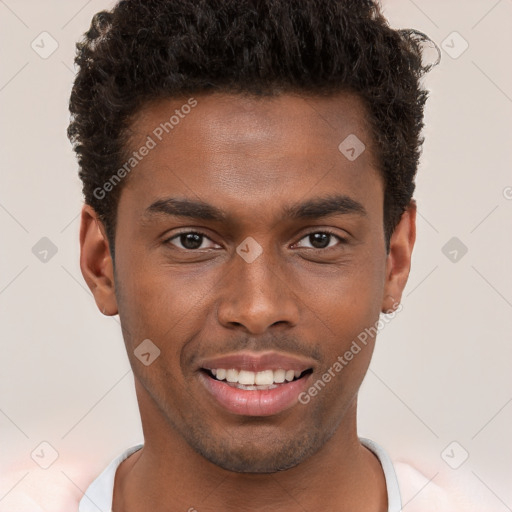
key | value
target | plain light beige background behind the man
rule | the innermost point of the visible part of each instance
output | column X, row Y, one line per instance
column 441, row 370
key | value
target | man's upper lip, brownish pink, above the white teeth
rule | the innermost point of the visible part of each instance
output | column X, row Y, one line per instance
column 256, row 362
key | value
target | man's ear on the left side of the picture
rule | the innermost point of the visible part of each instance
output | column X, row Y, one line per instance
column 96, row 261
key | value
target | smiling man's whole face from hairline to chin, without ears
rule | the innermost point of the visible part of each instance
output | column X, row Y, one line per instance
column 258, row 281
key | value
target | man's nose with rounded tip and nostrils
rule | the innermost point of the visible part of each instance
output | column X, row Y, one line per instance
column 257, row 295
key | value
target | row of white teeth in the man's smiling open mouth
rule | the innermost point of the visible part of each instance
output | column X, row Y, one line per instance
column 255, row 381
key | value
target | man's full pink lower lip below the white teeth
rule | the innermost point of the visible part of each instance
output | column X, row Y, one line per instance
column 255, row 402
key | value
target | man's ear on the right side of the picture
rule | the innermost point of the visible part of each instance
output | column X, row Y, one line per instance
column 398, row 263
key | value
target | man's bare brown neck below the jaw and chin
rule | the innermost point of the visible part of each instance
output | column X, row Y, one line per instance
column 168, row 475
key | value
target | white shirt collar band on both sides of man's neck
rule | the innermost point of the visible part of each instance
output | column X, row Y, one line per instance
column 98, row 496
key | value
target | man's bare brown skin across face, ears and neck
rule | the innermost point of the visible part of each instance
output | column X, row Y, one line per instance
column 250, row 157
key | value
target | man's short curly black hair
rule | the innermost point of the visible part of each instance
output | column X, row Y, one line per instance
column 144, row 50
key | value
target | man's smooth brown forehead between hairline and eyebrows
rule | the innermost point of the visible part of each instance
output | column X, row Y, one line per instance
column 252, row 151
